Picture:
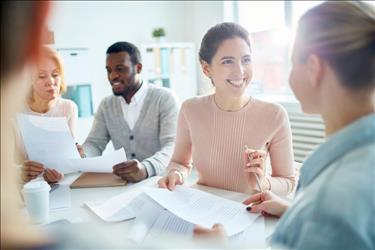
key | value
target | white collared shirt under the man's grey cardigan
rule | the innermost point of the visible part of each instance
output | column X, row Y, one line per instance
column 132, row 110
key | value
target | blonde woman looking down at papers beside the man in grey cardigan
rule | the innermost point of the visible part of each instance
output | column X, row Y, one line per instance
column 45, row 100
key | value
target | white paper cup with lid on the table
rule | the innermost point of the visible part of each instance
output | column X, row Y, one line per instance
column 36, row 196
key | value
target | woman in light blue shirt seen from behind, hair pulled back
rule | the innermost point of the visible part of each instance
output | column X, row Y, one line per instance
column 333, row 75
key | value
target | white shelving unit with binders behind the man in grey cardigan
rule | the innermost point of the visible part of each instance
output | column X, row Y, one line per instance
column 171, row 65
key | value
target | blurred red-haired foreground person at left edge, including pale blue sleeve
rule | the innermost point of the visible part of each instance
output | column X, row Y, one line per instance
column 22, row 26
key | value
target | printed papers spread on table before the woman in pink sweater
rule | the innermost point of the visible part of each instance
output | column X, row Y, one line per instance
column 161, row 213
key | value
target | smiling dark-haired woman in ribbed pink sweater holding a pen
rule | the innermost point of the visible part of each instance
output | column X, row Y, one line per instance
column 214, row 129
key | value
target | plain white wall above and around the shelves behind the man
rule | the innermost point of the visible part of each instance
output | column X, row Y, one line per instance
column 96, row 25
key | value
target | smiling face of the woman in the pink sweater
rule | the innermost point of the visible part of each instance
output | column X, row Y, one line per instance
column 230, row 69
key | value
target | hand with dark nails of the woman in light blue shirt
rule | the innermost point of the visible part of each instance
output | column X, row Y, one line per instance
column 267, row 203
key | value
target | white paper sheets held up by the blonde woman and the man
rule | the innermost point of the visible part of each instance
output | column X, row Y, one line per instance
column 48, row 140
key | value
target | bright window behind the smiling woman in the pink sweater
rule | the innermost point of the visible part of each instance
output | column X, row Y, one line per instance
column 271, row 25
